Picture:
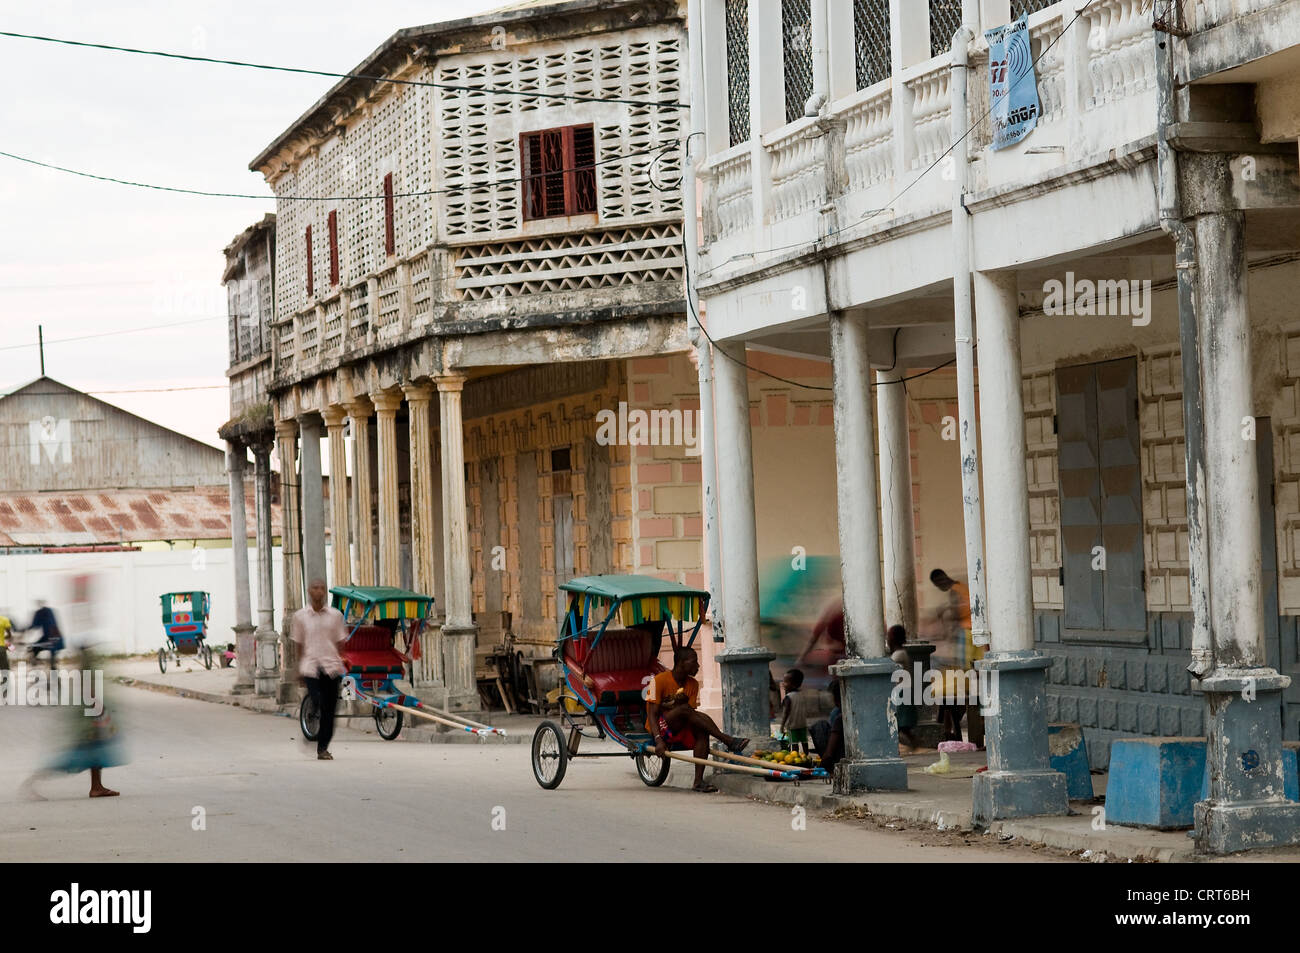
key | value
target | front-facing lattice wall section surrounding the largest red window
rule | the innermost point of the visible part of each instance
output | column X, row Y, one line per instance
column 638, row 157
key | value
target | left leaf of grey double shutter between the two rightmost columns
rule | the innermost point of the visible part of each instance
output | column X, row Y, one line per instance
column 1081, row 495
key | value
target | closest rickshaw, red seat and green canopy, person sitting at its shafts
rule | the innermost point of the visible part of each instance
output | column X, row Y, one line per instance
column 609, row 653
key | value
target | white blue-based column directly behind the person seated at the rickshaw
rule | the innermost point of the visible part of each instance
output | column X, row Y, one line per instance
column 744, row 661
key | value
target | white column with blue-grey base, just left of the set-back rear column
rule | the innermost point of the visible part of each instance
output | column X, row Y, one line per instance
column 870, row 727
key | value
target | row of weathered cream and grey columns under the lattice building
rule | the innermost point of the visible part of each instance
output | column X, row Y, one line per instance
column 445, row 675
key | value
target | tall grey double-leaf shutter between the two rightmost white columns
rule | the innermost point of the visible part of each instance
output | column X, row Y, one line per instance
column 1100, row 483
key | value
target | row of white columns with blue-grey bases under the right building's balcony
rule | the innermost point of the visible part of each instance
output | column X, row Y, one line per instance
column 1247, row 807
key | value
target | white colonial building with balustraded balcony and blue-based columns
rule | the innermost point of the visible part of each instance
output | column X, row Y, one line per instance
column 1121, row 275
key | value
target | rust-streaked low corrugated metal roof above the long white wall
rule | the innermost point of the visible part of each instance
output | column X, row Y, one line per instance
column 111, row 517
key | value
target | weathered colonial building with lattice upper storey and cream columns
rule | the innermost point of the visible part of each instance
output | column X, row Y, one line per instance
column 478, row 262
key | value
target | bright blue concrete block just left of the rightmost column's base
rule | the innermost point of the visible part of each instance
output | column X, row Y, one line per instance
column 1155, row 782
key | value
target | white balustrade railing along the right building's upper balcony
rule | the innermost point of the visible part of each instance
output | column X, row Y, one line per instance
column 1097, row 84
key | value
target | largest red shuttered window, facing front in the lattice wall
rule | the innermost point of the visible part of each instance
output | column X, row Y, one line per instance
column 558, row 172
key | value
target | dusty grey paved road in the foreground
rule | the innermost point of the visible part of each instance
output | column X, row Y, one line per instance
column 267, row 799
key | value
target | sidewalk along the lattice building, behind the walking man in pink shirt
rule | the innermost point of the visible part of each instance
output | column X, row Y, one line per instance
column 192, row 681
